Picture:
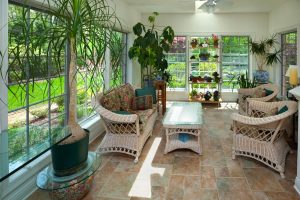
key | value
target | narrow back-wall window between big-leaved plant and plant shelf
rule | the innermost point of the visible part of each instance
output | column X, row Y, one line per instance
column 176, row 58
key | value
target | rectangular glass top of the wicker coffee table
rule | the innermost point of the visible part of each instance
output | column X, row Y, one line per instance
column 184, row 113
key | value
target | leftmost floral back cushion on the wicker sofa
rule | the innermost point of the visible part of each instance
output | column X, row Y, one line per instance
column 111, row 101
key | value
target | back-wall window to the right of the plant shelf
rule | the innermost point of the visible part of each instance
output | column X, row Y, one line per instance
column 234, row 60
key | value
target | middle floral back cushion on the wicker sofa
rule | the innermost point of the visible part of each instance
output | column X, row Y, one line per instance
column 126, row 94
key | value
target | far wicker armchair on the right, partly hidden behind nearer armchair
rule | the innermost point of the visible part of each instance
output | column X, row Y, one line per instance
column 245, row 94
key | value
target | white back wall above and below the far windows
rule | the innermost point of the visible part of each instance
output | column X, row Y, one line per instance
column 255, row 25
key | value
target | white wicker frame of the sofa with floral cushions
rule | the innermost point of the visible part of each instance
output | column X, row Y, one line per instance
column 124, row 133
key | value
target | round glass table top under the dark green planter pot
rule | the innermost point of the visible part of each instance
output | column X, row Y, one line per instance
column 46, row 179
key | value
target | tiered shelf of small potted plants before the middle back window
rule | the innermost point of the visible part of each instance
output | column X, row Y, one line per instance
column 204, row 79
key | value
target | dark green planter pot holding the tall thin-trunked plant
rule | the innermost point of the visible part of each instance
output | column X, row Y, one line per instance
column 70, row 158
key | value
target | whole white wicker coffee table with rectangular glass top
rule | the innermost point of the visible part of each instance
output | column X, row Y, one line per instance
column 183, row 122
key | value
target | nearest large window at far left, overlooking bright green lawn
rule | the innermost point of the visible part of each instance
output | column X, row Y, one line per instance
column 36, row 90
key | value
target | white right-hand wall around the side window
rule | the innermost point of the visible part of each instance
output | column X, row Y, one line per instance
column 282, row 19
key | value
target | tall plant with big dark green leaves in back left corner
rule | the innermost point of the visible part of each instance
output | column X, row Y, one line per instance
column 149, row 47
